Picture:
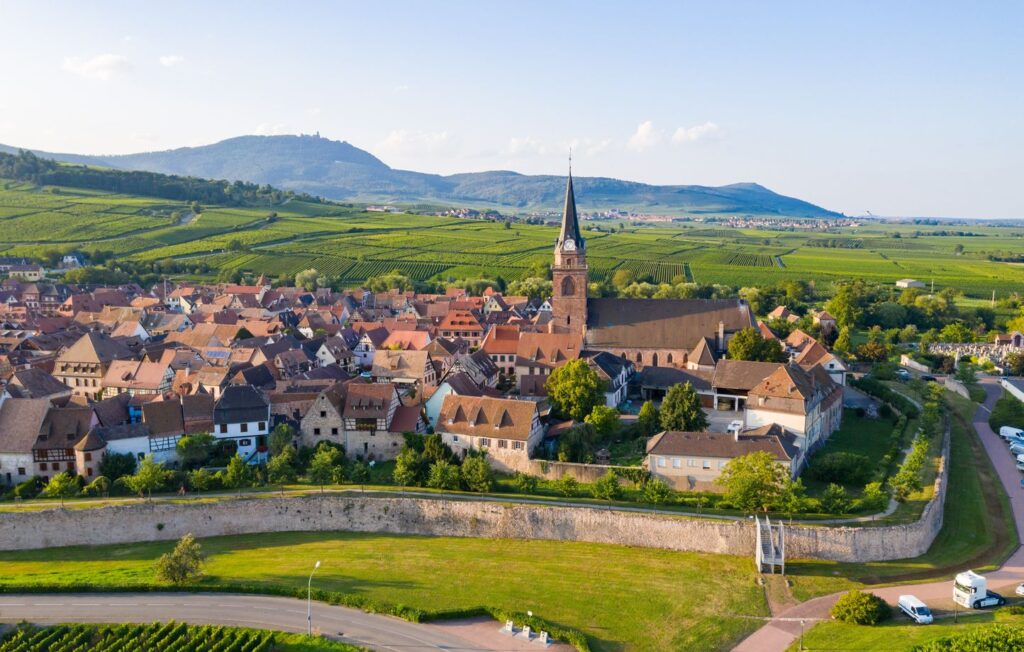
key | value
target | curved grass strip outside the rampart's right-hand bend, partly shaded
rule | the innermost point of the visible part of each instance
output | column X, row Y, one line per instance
column 978, row 530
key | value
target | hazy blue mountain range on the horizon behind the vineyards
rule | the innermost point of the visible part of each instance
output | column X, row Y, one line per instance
column 338, row 170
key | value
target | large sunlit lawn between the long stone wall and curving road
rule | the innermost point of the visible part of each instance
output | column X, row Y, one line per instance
column 622, row 598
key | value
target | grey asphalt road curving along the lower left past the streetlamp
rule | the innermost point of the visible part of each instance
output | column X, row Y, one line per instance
column 285, row 615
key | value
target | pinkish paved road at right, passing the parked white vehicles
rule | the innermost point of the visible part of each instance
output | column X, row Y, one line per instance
column 781, row 633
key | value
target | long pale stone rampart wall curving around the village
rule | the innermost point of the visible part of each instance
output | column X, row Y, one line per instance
column 407, row 515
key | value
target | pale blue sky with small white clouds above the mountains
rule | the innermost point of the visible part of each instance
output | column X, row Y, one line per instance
column 902, row 109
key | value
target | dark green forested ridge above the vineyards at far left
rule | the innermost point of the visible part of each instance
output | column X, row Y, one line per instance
column 26, row 166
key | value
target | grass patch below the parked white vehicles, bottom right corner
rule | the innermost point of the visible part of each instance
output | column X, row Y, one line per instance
column 899, row 634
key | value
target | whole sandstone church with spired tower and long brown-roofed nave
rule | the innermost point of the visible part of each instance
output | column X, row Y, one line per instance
column 680, row 333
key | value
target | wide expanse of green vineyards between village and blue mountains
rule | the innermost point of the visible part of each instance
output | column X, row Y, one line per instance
column 348, row 244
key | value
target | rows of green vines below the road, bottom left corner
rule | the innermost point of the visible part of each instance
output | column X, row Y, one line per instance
column 169, row 637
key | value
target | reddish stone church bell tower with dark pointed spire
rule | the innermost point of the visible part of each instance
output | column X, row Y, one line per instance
column 569, row 274
